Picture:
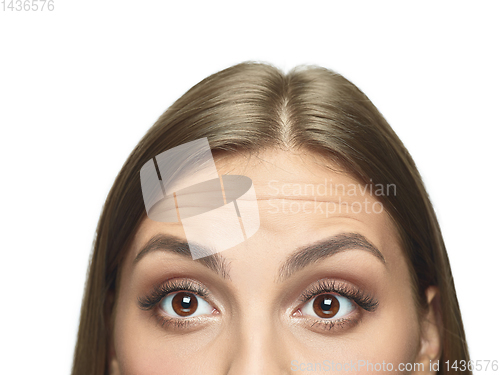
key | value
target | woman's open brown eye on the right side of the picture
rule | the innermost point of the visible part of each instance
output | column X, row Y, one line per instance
column 329, row 306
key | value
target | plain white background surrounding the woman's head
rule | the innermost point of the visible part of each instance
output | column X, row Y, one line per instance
column 81, row 84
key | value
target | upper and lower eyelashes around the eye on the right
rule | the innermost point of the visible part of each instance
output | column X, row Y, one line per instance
column 364, row 300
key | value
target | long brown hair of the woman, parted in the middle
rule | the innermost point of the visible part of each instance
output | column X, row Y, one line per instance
column 253, row 106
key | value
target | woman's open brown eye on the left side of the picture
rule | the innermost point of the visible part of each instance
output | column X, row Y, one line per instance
column 184, row 304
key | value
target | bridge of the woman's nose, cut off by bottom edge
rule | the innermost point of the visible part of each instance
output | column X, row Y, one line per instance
column 259, row 348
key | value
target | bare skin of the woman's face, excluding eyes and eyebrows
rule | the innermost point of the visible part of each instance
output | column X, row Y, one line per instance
column 259, row 325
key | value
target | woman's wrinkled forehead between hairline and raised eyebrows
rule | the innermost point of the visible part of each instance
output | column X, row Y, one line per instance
column 301, row 198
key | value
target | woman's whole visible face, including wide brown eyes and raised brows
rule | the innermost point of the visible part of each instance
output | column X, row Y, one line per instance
column 322, row 283
